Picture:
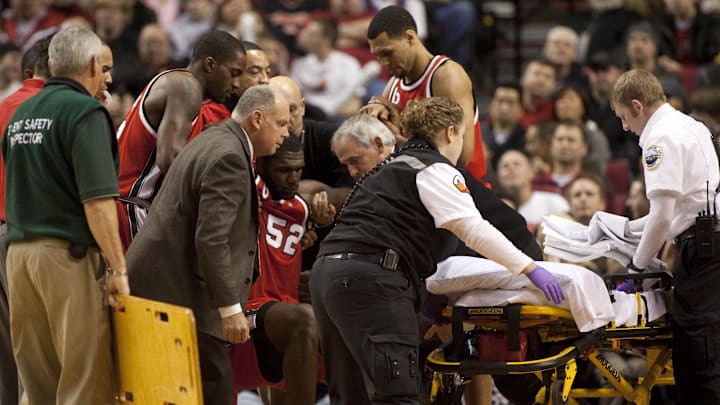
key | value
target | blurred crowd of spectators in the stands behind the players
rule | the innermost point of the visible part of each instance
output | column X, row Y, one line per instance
column 552, row 140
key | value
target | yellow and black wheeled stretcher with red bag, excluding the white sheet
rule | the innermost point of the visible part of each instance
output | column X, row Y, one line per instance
column 517, row 332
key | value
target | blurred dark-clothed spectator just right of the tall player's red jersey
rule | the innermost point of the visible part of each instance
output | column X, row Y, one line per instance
column 502, row 130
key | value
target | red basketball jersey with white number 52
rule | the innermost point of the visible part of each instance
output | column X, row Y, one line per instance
column 282, row 225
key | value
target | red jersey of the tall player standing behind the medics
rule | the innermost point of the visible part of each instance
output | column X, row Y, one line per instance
column 400, row 94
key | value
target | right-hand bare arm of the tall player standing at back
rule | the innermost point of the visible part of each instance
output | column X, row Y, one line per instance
column 452, row 82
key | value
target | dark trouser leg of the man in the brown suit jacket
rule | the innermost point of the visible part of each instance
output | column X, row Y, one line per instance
column 215, row 370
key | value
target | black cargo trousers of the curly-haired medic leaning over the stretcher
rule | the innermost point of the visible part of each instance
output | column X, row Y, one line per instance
column 368, row 332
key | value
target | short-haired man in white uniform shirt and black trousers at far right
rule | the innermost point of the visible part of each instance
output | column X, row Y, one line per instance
column 681, row 178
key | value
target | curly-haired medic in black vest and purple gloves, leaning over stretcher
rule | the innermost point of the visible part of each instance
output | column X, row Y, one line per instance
column 367, row 281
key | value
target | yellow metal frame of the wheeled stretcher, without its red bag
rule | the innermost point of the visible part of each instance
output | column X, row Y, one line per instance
column 452, row 366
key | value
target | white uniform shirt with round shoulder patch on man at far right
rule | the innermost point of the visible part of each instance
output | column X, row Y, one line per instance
column 678, row 156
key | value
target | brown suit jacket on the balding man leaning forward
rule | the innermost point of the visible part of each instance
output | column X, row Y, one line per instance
column 198, row 246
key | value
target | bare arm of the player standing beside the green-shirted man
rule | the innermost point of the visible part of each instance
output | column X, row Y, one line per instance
column 171, row 107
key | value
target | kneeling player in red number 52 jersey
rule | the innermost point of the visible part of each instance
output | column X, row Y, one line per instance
column 284, row 342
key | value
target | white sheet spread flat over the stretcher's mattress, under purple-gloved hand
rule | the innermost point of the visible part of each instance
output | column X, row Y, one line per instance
column 472, row 281
